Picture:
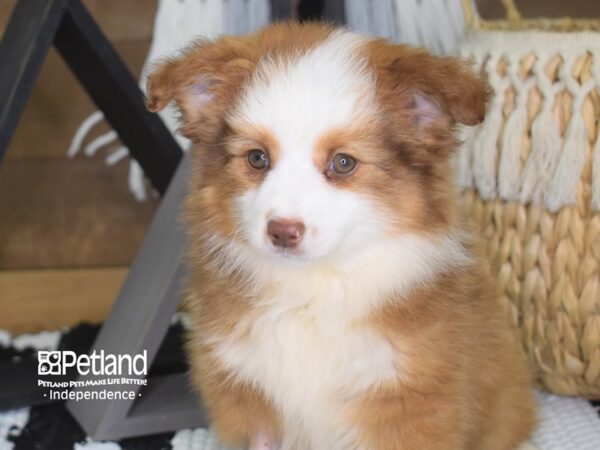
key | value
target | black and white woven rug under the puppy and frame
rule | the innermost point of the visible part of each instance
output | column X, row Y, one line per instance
column 565, row 423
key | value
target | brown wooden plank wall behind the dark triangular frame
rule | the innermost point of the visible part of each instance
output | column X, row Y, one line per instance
column 68, row 227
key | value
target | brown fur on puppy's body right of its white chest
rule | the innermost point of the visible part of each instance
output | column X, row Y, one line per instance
column 487, row 404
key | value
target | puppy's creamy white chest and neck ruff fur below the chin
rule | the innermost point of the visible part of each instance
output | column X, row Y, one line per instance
column 306, row 340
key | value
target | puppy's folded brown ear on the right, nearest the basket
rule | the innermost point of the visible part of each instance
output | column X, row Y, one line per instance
column 439, row 87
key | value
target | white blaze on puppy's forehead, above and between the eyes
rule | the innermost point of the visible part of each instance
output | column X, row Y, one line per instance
column 304, row 95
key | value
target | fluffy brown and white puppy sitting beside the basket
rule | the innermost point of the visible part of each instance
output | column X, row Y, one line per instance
column 338, row 301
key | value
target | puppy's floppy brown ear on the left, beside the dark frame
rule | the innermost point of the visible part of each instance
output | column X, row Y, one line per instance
column 201, row 79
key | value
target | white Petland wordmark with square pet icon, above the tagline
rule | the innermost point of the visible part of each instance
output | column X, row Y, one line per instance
column 59, row 362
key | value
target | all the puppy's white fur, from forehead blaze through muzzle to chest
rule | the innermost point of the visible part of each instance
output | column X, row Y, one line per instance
column 307, row 349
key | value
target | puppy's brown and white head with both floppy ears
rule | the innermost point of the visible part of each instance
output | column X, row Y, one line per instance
column 311, row 143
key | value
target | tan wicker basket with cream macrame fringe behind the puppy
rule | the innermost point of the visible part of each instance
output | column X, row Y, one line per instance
column 531, row 180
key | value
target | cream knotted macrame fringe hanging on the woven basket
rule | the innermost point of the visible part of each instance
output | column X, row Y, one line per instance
column 551, row 174
